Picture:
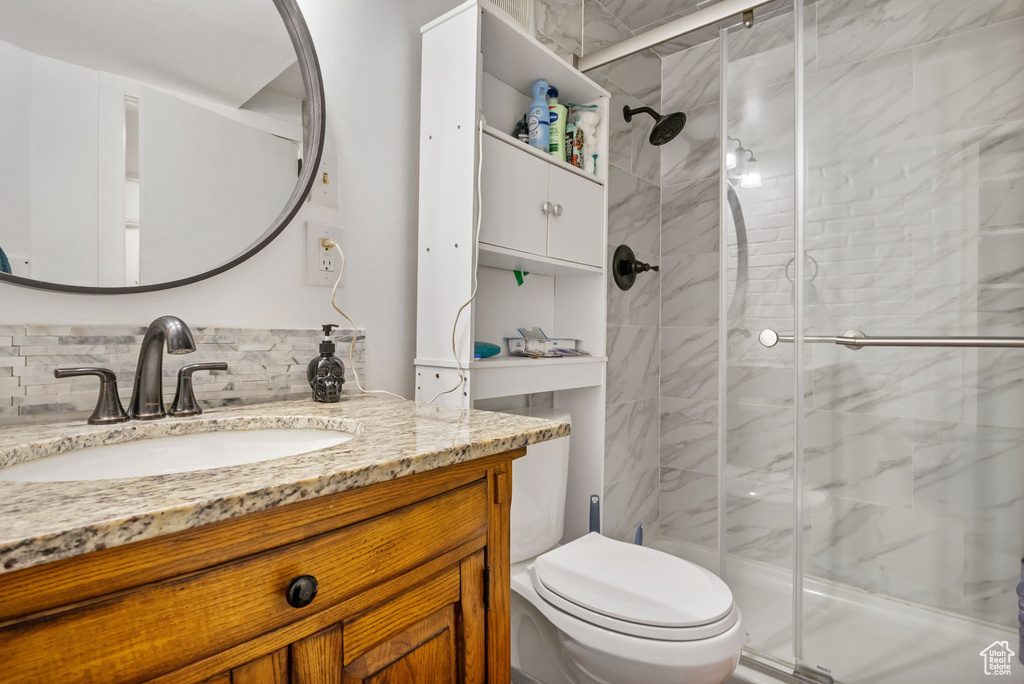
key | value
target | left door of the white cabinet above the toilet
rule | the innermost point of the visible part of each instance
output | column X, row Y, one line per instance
column 515, row 188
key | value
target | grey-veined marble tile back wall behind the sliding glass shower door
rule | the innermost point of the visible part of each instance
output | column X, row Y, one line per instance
column 915, row 119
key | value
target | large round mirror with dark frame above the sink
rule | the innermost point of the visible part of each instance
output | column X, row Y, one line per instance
column 147, row 145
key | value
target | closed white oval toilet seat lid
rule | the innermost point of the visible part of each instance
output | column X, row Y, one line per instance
column 634, row 583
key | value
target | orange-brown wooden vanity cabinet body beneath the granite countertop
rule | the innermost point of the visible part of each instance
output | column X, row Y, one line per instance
column 413, row 587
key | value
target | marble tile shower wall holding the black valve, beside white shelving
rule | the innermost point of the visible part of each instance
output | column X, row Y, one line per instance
column 632, row 460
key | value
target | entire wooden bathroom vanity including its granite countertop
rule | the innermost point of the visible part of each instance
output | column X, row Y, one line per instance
column 382, row 560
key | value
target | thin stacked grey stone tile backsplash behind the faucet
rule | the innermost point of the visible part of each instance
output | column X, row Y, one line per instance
column 264, row 366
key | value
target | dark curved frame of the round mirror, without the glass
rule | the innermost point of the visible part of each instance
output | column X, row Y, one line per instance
column 313, row 152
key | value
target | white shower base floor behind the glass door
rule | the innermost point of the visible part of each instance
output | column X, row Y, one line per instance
column 863, row 638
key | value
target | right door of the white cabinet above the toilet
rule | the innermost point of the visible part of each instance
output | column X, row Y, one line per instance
column 576, row 235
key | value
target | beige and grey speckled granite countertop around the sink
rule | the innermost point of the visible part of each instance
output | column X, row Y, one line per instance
column 46, row 522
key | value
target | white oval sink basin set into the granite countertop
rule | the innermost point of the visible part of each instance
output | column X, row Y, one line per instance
column 175, row 455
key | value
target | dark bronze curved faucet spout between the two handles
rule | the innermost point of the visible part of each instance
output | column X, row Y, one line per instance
column 148, row 393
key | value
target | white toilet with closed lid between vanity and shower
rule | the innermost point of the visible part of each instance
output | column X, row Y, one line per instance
column 602, row 612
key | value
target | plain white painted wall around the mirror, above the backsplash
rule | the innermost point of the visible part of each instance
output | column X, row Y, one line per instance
column 370, row 56
